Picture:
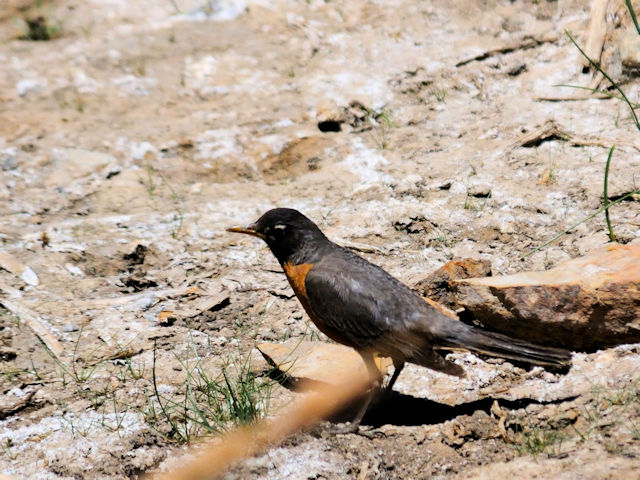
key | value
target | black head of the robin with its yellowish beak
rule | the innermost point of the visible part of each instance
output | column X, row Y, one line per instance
column 291, row 236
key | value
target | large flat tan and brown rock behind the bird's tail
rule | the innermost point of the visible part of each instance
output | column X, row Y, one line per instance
column 583, row 304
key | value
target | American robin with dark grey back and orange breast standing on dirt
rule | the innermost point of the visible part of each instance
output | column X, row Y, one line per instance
column 358, row 304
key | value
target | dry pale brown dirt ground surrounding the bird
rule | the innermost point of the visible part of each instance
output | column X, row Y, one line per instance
column 142, row 129
